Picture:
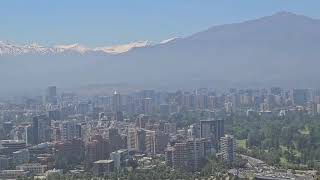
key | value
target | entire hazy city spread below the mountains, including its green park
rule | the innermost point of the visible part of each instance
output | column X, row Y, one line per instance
column 187, row 134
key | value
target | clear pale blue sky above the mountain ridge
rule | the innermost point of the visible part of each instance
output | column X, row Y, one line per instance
column 106, row 22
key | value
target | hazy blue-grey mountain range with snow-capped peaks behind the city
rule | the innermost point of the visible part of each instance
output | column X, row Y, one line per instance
column 281, row 49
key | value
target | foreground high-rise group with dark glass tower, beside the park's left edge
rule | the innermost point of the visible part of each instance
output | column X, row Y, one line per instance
column 202, row 140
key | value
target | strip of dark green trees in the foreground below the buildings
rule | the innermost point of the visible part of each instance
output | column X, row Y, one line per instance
column 213, row 169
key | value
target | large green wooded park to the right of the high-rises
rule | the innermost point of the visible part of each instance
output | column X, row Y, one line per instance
column 291, row 140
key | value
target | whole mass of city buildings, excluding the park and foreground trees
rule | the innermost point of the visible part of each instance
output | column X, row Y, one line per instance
column 104, row 132
